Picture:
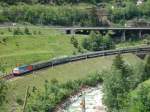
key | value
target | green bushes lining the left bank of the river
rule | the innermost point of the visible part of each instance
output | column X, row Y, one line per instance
column 55, row 92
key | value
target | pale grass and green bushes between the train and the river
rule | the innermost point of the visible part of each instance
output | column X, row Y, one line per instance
column 76, row 69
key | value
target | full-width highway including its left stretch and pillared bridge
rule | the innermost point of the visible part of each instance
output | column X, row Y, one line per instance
column 140, row 31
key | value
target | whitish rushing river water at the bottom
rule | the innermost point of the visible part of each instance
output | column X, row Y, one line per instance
column 92, row 98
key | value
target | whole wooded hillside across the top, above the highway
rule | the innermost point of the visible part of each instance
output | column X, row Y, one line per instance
column 82, row 15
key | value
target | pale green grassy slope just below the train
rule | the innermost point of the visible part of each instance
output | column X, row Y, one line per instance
column 71, row 71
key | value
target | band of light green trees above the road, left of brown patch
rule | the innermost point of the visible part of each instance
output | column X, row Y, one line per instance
column 40, row 14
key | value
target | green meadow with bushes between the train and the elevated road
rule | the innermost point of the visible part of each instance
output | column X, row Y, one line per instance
column 38, row 44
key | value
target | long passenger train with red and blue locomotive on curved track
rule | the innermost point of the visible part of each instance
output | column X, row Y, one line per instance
column 36, row 66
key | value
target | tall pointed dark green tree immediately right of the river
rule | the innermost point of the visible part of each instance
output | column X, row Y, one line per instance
column 117, row 85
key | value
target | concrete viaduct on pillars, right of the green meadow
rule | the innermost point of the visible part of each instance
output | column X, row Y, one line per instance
column 123, row 30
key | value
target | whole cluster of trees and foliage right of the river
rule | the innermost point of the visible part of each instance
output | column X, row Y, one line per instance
column 119, row 83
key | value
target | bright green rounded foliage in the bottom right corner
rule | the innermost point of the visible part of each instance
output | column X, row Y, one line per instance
column 140, row 99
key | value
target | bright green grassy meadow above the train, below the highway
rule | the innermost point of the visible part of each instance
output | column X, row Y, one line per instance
column 33, row 48
